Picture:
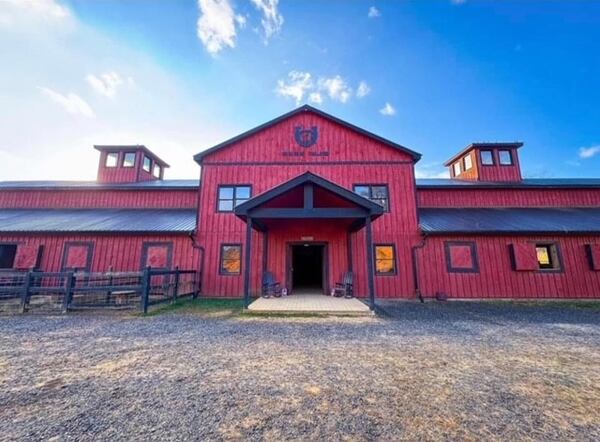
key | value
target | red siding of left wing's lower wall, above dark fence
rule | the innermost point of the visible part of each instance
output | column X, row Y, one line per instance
column 119, row 252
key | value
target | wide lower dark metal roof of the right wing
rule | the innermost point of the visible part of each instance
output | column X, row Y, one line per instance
column 510, row 220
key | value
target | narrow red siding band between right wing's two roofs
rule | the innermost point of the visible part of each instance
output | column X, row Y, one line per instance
column 436, row 197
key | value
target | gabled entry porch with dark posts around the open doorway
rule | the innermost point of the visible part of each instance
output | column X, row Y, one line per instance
column 307, row 225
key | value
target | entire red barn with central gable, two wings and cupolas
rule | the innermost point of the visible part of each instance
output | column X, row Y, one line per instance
column 310, row 197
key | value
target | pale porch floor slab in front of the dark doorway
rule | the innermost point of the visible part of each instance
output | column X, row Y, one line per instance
column 302, row 303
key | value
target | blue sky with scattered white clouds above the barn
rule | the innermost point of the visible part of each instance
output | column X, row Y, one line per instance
column 180, row 76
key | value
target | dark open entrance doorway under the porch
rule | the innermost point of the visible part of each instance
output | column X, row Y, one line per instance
column 307, row 268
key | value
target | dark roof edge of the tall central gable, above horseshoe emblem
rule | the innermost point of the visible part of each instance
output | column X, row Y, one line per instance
column 305, row 108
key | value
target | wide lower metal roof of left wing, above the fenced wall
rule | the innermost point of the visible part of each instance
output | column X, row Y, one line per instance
column 97, row 220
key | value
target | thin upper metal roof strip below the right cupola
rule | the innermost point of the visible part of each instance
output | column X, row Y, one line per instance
column 524, row 183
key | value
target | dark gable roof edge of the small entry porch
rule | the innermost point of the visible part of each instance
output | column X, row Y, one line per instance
column 308, row 177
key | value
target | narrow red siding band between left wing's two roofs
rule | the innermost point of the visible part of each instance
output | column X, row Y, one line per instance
column 98, row 198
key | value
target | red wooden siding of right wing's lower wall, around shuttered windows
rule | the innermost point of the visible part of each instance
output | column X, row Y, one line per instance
column 496, row 277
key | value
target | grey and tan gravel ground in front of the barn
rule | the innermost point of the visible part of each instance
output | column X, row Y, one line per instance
column 454, row 371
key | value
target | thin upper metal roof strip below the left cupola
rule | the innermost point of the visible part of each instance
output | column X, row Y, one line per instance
column 67, row 185
